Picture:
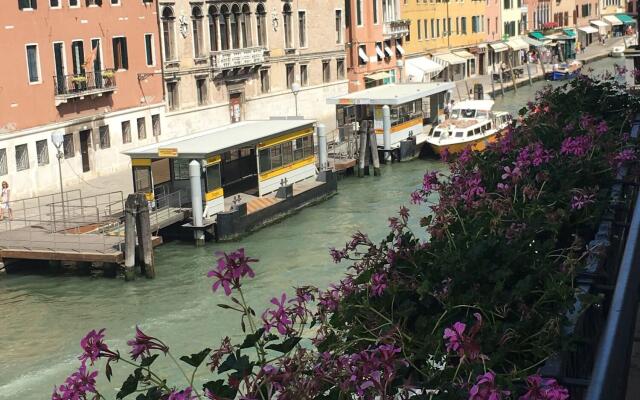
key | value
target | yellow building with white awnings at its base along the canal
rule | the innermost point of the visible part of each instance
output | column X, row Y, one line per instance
column 450, row 34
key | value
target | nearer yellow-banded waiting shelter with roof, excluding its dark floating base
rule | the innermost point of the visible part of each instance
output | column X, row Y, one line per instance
column 252, row 157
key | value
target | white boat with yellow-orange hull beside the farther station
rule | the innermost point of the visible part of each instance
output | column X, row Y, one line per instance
column 472, row 123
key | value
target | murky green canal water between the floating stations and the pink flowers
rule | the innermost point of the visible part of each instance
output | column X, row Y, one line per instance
column 44, row 316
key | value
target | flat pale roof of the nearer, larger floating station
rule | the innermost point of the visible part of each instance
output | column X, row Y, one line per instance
column 215, row 141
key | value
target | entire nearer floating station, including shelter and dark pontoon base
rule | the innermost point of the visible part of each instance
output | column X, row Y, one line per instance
column 237, row 177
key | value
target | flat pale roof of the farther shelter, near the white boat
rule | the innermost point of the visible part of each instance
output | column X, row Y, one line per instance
column 392, row 94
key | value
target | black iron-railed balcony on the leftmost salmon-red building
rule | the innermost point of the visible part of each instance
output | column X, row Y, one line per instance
column 93, row 83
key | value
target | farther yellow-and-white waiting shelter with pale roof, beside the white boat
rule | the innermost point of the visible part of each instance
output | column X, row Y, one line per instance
column 413, row 107
